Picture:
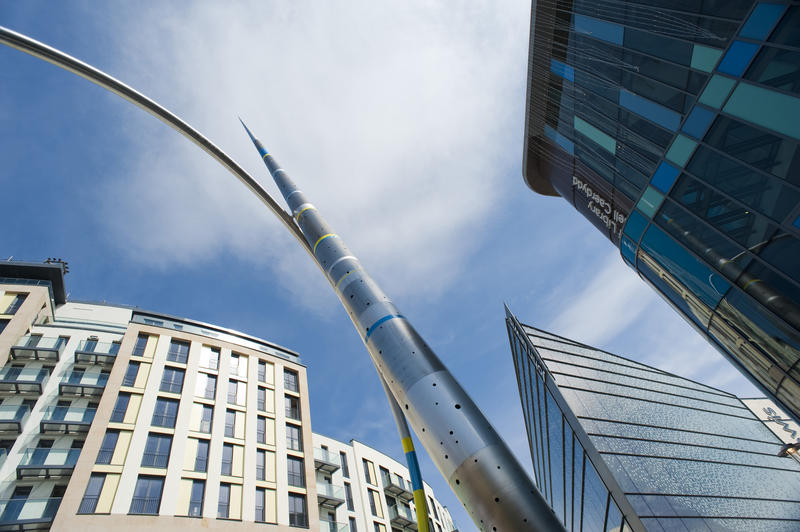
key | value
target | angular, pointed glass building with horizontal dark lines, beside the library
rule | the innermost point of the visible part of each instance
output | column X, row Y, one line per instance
column 620, row 446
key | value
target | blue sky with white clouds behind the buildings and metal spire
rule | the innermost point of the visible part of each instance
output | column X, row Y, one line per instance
column 403, row 122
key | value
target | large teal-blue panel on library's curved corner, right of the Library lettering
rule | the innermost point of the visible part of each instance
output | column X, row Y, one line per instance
column 693, row 274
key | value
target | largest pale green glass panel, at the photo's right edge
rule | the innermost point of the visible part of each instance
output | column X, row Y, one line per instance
column 773, row 110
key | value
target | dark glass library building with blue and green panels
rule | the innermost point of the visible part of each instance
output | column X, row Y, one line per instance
column 673, row 126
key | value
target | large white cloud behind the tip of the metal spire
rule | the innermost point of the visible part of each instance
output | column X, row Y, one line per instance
column 392, row 118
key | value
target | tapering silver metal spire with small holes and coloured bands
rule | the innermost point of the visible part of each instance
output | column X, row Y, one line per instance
column 476, row 462
